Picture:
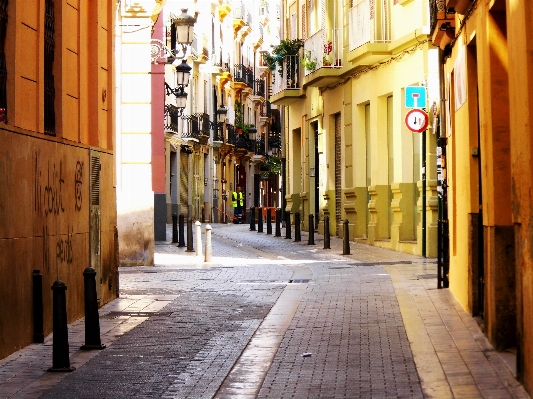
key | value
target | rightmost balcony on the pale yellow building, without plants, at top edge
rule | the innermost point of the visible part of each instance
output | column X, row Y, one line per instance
column 369, row 33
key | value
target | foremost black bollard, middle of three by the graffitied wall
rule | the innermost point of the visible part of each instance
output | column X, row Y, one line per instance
column 60, row 357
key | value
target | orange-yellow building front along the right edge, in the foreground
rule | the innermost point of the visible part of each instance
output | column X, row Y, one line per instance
column 487, row 126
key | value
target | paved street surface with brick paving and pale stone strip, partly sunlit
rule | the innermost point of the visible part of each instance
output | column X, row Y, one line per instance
column 272, row 318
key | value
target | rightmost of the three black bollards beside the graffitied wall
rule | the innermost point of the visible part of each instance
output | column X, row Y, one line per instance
column 92, row 318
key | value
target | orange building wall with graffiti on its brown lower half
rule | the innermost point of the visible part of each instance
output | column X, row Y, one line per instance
column 57, row 202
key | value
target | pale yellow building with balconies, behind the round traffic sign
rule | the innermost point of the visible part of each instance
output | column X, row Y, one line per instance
column 350, row 155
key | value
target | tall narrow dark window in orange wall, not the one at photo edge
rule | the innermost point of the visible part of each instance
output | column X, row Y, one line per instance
column 49, row 87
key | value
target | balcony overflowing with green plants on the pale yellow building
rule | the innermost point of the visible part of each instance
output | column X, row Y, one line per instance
column 286, row 82
